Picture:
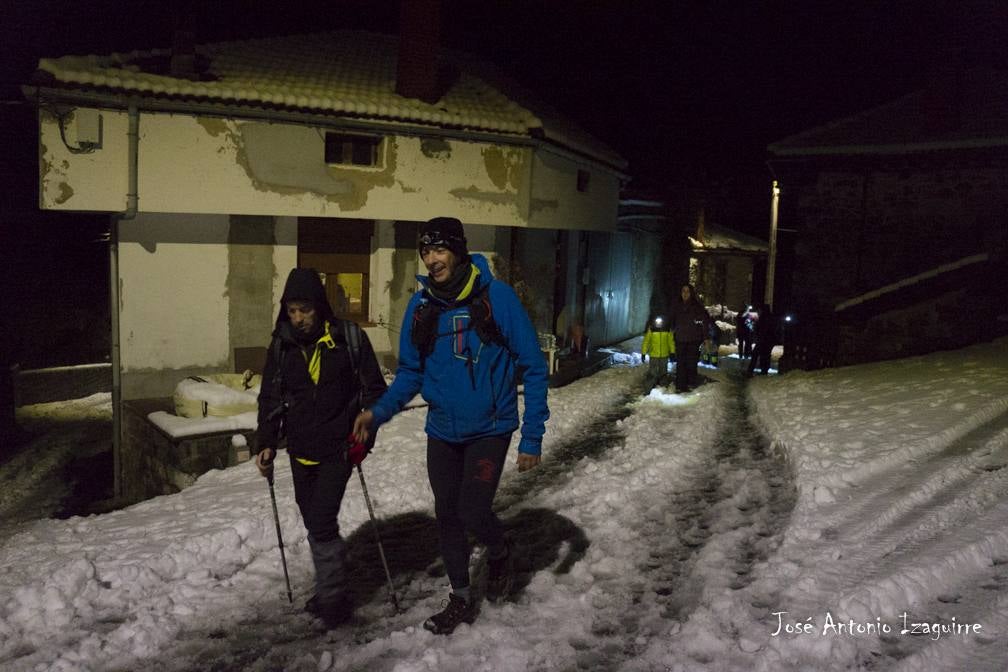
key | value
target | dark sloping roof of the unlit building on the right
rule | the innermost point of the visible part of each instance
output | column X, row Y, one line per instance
column 968, row 111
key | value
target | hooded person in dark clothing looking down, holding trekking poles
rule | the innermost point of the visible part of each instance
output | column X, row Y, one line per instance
column 310, row 394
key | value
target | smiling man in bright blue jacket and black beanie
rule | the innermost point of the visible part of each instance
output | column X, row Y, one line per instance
column 465, row 339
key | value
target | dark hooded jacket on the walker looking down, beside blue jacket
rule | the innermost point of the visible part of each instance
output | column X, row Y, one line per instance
column 320, row 416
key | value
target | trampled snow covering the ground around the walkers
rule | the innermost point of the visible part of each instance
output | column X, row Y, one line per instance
column 784, row 523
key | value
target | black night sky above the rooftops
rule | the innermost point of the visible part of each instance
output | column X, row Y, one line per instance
column 690, row 93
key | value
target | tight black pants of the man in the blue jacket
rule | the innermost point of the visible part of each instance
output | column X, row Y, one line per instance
column 464, row 479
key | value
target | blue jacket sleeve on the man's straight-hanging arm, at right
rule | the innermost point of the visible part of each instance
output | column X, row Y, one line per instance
column 525, row 346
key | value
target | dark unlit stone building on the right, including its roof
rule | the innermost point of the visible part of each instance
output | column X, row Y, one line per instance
column 900, row 215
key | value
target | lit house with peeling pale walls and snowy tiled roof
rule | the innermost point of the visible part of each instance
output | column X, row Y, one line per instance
column 224, row 166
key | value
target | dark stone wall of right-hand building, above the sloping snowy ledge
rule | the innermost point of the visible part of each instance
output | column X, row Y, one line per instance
column 865, row 227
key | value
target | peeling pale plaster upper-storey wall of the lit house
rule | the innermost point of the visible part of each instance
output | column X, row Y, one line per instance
column 214, row 166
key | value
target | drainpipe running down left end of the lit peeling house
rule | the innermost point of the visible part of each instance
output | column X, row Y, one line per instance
column 133, row 201
